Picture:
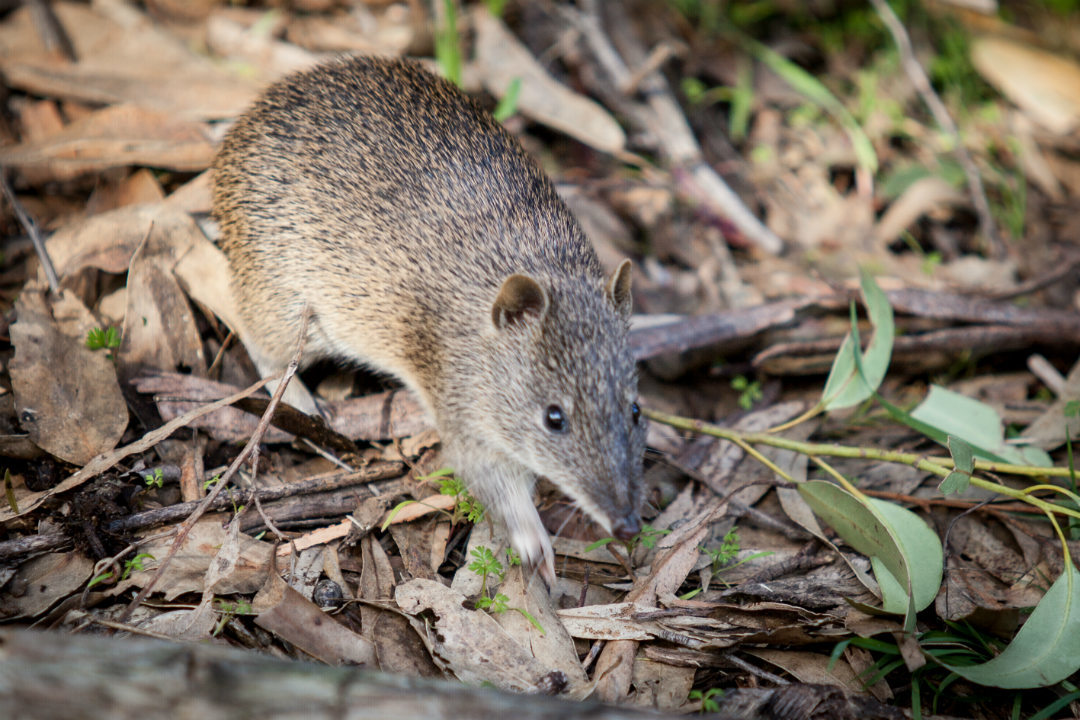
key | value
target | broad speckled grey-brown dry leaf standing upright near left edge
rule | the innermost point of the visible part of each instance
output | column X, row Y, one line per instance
column 67, row 396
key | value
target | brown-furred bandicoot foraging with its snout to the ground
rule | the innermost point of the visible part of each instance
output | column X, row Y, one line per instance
column 428, row 246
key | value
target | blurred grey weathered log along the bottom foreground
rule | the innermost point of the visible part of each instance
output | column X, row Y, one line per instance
column 53, row 676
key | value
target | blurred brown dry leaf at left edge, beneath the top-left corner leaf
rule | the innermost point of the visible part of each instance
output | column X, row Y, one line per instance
column 114, row 138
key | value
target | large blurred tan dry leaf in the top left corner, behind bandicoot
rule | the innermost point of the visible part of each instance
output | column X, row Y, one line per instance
column 124, row 58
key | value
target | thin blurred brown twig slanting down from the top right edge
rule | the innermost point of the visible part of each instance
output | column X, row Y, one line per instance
column 944, row 120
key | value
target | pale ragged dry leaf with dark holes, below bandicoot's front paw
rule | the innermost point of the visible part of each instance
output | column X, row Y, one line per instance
column 469, row 644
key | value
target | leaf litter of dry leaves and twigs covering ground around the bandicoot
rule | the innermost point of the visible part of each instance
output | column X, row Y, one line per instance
column 759, row 290
